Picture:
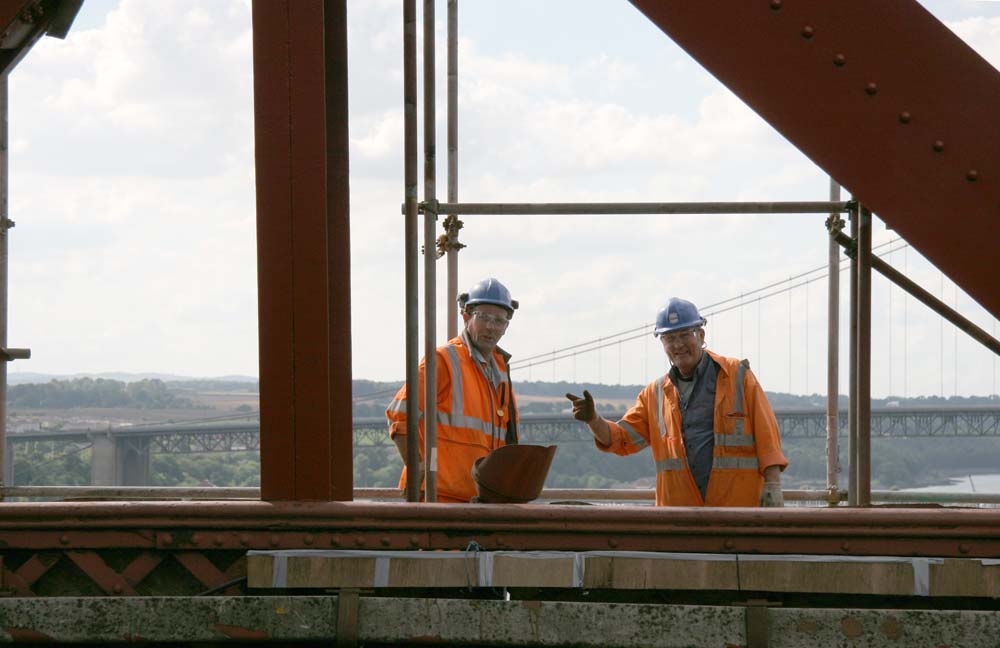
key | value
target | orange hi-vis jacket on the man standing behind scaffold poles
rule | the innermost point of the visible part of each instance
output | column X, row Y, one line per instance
column 473, row 416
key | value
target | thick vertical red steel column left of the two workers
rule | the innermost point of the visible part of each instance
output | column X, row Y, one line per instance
column 303, row 256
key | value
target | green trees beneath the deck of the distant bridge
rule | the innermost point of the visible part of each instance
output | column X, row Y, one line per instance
column 896, row 463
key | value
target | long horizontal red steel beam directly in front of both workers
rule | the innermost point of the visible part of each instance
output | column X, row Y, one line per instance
column 260, row 525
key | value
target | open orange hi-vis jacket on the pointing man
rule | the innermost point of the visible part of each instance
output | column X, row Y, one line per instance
column 747, row 440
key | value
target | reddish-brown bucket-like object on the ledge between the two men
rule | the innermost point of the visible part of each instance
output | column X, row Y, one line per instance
column 512, row 474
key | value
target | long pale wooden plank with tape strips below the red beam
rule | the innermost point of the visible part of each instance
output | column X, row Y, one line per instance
column 626, row 571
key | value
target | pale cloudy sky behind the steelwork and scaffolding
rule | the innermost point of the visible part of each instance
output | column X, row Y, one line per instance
column 132, row 185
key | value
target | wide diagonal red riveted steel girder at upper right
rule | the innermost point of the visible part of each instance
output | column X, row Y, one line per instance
column 883, row 97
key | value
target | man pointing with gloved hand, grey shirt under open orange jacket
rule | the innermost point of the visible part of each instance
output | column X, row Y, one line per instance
column 714, row 436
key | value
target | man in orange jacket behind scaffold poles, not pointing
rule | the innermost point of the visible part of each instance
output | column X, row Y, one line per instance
column 476, row 410
